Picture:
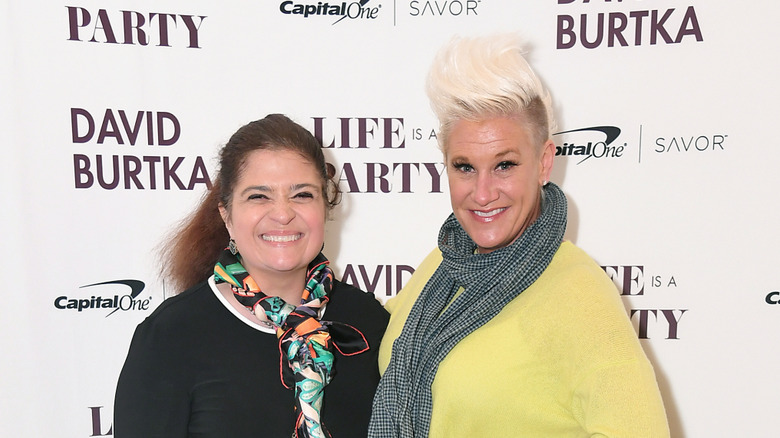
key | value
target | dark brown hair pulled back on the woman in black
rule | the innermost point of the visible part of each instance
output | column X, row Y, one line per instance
column 189, row 255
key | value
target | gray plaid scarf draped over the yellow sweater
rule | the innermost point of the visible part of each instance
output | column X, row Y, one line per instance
column 402, row 405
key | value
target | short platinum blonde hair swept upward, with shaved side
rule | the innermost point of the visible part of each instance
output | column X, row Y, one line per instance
column 479, row 78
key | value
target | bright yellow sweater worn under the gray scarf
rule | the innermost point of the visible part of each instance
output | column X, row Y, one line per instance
column 560, row 360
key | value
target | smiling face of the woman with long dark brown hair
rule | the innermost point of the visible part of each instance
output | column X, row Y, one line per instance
column 277, row 214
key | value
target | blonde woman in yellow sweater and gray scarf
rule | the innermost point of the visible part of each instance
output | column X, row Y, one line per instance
column 505, row 329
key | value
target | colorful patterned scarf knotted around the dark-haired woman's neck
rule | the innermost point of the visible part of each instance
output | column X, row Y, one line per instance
column 305, row 342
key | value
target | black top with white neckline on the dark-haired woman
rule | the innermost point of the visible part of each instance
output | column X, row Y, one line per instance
column 196, row 370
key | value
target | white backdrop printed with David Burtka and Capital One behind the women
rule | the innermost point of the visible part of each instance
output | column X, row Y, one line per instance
column 112, row 113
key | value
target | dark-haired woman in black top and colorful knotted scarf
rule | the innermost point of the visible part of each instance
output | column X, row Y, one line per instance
column 206, row 362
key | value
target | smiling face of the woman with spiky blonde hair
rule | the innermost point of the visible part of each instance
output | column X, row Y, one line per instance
column 495, row 172
